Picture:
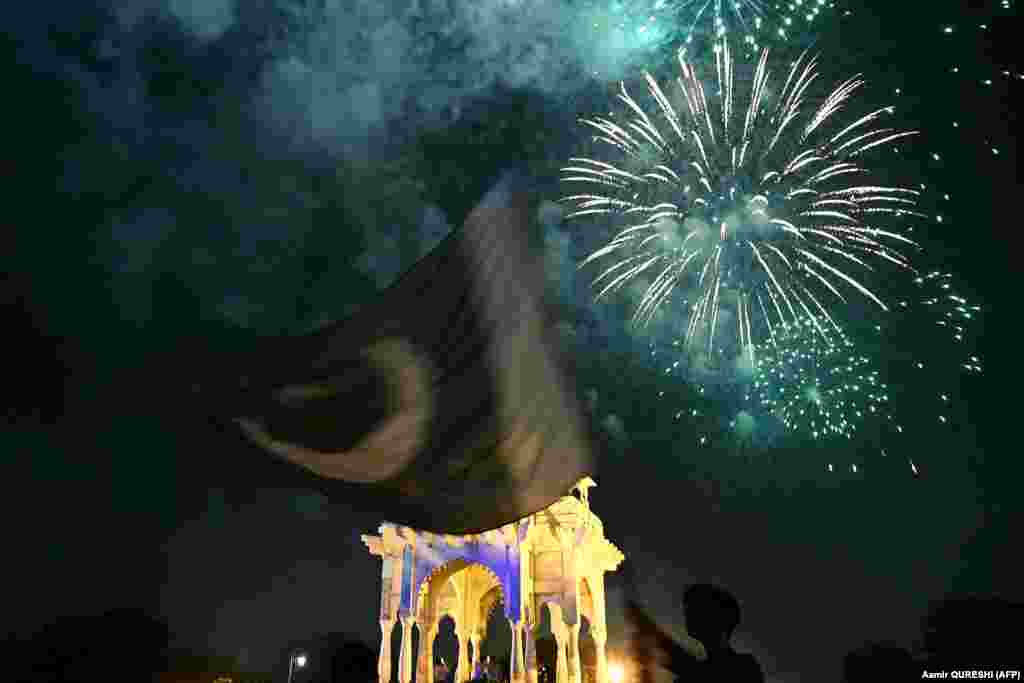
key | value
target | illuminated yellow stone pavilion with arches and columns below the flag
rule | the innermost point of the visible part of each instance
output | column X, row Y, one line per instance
column 557, row 559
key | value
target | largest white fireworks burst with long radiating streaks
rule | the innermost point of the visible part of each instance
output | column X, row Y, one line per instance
column 753, row 210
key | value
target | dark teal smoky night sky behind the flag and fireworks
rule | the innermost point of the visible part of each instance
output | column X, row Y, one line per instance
column 186, row 178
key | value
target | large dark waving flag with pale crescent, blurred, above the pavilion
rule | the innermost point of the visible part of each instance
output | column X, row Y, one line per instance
column 445, row 405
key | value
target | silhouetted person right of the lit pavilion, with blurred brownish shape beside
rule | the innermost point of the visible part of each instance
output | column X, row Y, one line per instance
column 712, row 616
